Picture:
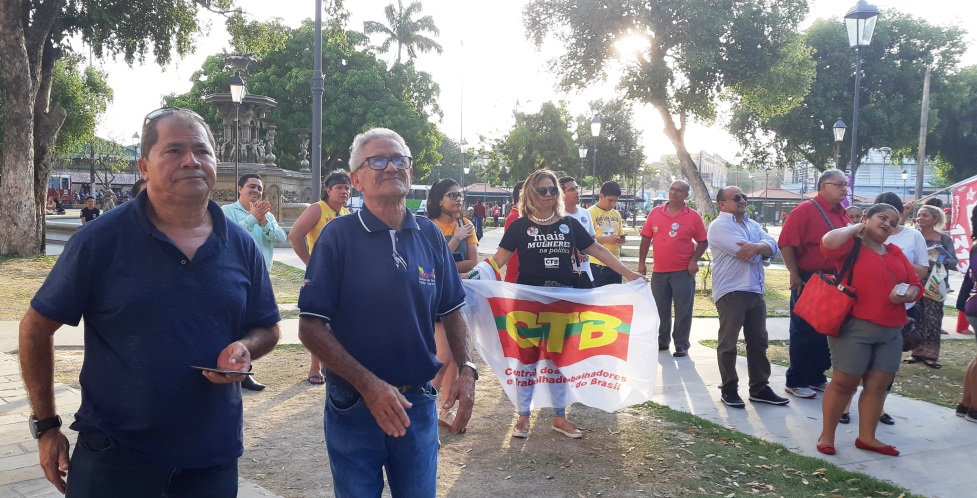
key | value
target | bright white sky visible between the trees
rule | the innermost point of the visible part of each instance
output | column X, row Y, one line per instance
column 486, row 70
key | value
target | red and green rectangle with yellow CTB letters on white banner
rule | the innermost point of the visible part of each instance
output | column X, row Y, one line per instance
column 563, row 332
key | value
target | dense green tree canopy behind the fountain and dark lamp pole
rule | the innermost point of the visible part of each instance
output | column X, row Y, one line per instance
column 359, row 93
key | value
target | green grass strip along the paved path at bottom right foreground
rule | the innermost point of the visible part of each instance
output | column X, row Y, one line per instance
column 729, row 463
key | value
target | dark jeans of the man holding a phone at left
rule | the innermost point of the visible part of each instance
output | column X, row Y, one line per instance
column 98, row 469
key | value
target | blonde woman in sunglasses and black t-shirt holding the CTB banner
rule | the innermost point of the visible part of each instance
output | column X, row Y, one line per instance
column 546, row 239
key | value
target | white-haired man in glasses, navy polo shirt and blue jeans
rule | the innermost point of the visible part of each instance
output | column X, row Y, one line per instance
column 374, row 284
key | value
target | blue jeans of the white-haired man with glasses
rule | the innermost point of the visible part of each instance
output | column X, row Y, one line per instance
column 359, row 450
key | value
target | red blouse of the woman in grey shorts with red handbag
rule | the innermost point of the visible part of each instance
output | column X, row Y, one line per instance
column 875, row 276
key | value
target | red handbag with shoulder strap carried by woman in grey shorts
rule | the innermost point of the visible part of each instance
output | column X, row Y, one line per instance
column 827, row 300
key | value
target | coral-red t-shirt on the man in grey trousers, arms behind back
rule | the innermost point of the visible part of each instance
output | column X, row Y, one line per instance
column 673, row 239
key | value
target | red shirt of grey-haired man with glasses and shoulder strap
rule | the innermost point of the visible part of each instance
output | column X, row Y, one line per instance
column 804, row 228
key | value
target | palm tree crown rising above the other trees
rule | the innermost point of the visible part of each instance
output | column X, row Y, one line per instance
column 406, row 31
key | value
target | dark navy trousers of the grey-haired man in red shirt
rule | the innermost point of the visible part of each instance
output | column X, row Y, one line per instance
column 808, row 350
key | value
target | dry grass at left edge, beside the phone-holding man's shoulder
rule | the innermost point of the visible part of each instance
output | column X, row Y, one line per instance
column 22, row 278
